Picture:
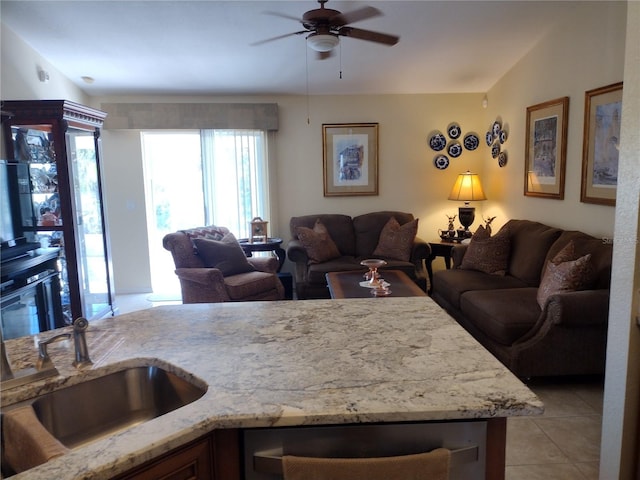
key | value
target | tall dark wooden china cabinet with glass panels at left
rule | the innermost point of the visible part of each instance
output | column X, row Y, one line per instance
column 59, row 198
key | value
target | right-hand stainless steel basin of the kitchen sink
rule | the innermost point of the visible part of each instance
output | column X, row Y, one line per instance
column 102, row 406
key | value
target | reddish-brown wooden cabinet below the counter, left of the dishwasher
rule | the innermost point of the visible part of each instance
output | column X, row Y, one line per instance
column 215, row 456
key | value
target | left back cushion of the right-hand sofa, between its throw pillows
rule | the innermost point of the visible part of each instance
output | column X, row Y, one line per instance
column 530, row 242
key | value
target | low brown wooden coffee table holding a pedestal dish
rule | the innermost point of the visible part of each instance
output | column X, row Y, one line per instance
column 347, row 284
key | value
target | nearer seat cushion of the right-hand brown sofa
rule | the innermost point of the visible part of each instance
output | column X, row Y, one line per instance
column 503, row 315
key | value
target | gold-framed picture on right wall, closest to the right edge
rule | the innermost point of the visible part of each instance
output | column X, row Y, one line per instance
column 602, row 111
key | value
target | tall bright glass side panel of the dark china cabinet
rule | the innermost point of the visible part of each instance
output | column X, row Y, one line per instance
column 92, row 266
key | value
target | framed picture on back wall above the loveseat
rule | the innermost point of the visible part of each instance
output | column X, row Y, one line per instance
column 350, row 159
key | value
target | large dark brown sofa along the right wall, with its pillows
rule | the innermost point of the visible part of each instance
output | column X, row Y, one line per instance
column 545, row 313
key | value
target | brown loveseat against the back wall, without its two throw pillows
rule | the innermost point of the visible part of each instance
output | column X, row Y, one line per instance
column 356, row 239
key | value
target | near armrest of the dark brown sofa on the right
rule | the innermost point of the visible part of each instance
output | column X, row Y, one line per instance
column 580, row 308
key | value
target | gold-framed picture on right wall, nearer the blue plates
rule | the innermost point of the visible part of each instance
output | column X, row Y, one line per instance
column 546, row 149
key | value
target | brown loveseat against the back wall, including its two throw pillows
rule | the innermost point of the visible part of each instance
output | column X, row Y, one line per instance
column 355, row 238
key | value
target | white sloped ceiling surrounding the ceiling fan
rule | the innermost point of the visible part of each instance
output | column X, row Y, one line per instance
column 182, row 47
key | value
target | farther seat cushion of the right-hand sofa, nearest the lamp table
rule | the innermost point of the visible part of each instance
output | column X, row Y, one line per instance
column 449, row 285
